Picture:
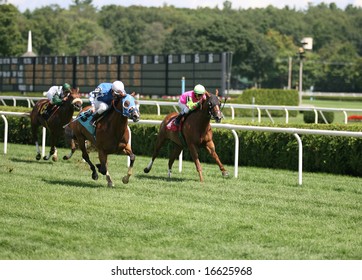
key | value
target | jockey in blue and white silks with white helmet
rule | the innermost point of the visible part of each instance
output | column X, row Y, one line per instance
column 101, row 98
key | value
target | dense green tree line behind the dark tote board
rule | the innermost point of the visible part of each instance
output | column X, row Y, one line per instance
column 262, row 40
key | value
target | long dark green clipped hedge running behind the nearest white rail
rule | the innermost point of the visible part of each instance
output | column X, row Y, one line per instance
column 330, row 154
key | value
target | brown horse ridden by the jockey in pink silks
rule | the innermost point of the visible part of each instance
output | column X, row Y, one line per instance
column 196, row 131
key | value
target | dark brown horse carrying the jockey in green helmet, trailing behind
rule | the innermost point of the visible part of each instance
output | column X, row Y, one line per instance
column 60, row 115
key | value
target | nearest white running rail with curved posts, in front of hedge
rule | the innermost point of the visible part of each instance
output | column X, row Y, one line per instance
column 233, row 128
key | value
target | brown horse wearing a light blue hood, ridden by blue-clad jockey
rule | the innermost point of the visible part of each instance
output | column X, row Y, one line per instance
column 111, row 135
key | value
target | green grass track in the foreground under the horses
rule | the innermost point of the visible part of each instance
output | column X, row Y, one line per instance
column 56, row 211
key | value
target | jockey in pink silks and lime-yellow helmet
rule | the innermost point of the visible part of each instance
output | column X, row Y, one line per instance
column 189, row 101
